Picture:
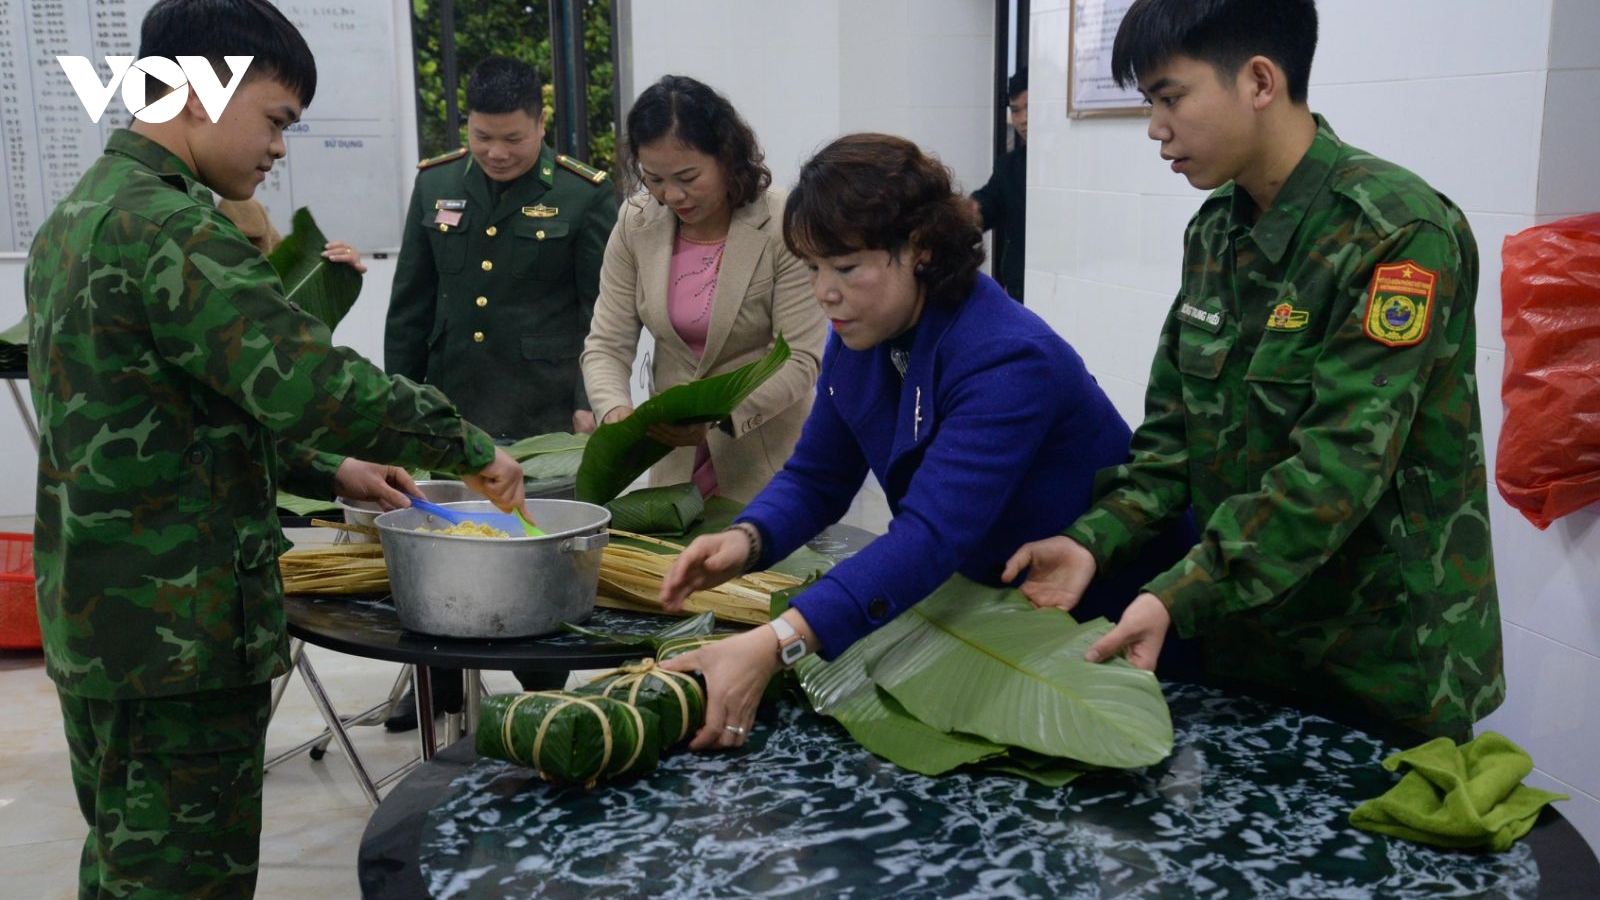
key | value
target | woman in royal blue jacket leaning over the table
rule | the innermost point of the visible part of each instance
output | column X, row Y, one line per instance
column 978, row 420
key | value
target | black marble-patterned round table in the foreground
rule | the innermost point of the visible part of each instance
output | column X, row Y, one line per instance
column 1252, row 805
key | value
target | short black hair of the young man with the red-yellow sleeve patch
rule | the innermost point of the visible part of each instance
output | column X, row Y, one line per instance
column 1222, row 33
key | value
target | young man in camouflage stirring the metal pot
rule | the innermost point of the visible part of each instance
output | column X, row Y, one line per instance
column 177, row 390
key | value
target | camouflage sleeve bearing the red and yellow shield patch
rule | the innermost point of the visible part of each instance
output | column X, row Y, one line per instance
column 1343, row 449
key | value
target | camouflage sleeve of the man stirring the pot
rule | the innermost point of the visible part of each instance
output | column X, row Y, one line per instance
column 217, row 311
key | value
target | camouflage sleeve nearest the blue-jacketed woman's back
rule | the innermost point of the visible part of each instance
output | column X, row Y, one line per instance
column 1134, row 500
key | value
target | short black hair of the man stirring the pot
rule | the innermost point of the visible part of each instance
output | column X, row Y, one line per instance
column 233, row 28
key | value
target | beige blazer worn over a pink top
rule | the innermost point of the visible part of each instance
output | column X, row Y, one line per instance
column 762, row 291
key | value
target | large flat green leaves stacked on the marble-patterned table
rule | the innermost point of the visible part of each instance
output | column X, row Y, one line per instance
column 975, row 678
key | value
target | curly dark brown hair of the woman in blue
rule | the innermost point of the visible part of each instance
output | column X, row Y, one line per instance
column 882, row 193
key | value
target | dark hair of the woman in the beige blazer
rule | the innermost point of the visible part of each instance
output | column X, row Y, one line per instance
column 694, row 113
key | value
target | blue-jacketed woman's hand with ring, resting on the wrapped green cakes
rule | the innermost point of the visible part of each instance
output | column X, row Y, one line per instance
column 737, row 673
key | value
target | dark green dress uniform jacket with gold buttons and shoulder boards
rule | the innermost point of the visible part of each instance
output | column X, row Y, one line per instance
column 497, row 286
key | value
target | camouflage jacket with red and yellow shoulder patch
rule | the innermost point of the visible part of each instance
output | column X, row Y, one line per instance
column 1314, row 400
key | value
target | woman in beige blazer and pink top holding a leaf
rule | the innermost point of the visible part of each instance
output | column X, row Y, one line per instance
column 698, row 259
